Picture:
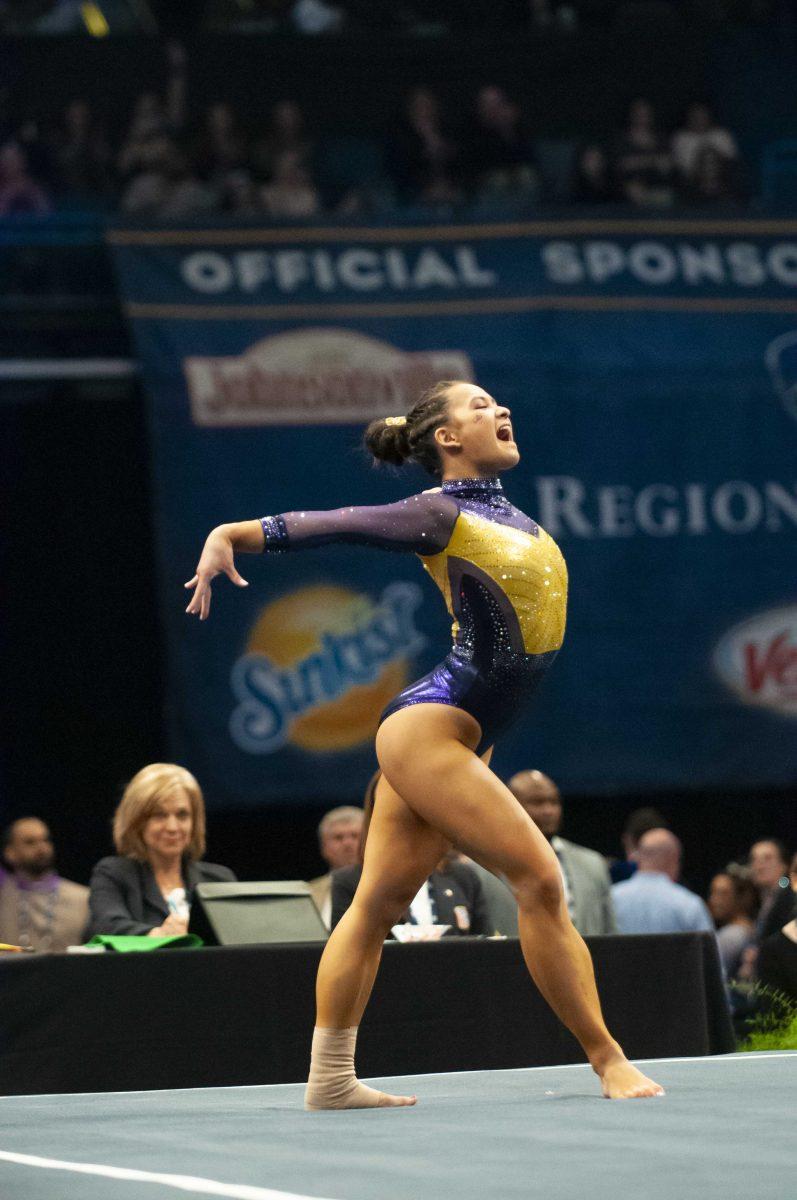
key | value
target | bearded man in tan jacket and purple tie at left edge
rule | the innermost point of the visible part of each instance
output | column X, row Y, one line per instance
column 38, row 908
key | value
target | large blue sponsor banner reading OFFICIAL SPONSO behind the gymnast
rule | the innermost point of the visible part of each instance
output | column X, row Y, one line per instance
column 652, row 374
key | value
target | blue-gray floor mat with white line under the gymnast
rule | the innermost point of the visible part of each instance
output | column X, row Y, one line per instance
column 724, row 1131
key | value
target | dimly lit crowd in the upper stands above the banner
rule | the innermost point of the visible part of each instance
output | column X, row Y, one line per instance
column 169, row 167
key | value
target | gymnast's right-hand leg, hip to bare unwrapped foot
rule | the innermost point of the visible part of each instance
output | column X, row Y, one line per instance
column 427, row 753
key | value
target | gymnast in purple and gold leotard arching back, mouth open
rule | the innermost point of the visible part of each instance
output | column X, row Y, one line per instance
column 505, row 583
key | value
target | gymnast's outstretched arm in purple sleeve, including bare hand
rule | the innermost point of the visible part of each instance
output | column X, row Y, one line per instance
column 421, row 524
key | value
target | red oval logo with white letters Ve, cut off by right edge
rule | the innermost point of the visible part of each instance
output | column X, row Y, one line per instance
column 758, row 661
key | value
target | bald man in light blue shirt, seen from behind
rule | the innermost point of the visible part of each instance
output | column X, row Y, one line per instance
column 652, row 902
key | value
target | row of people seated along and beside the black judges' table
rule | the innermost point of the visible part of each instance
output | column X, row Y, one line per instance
column 147, row 887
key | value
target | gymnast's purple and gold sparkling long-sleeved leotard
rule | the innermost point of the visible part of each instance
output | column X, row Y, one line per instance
column 504, row 579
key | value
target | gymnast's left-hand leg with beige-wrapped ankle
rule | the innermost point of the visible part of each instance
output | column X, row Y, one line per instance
column 402, row 853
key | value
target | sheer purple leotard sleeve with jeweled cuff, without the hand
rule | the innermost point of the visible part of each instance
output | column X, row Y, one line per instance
column 422, row 524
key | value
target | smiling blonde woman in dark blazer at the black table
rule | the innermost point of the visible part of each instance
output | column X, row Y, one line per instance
column 160, row 838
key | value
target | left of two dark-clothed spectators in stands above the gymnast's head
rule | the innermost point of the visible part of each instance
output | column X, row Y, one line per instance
column 424, row 158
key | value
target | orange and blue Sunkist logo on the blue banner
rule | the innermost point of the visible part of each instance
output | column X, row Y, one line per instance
column 321, row 665
